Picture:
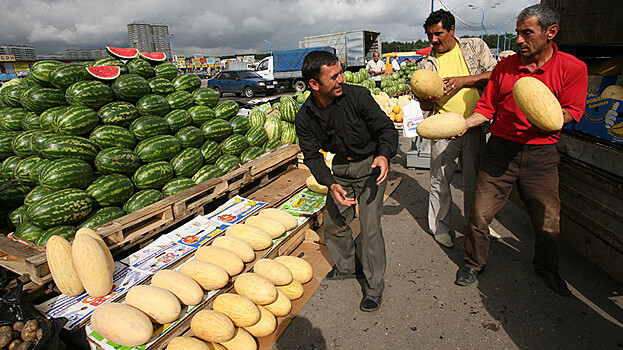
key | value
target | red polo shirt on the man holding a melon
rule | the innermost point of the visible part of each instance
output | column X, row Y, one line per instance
column 563, row 74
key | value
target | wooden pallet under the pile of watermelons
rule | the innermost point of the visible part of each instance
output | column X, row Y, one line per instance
column 141, row 227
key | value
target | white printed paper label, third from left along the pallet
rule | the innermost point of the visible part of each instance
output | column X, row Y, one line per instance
column 197, row 232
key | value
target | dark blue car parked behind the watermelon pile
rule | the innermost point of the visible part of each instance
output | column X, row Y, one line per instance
column 242, row 82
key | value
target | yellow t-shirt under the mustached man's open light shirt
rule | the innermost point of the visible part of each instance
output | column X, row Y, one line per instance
column 463, row 101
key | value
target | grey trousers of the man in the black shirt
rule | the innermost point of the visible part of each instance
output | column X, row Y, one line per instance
column 359, row 180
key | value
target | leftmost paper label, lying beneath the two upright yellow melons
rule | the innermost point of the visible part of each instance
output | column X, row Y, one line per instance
column 78, row 309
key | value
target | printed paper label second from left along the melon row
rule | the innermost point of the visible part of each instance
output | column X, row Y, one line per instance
column 158, row 255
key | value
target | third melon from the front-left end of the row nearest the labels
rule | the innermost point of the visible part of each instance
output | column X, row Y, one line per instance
column 183, row 287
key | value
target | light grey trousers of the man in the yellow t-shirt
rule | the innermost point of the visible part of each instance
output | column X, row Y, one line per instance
column 444, row 159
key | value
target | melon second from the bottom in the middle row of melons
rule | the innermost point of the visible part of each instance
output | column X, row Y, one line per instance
column 212, row 326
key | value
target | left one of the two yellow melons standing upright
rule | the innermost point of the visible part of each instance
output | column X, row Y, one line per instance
column 58, row 255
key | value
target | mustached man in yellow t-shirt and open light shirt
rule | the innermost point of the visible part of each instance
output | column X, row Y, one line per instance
column 465, row 66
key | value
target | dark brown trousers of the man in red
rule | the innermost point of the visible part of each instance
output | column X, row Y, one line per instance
column 534, row 170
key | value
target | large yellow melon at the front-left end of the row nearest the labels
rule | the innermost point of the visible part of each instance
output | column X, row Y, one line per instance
column 122, row 324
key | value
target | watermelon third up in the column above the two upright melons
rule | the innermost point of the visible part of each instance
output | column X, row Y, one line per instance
column 66, row 173
